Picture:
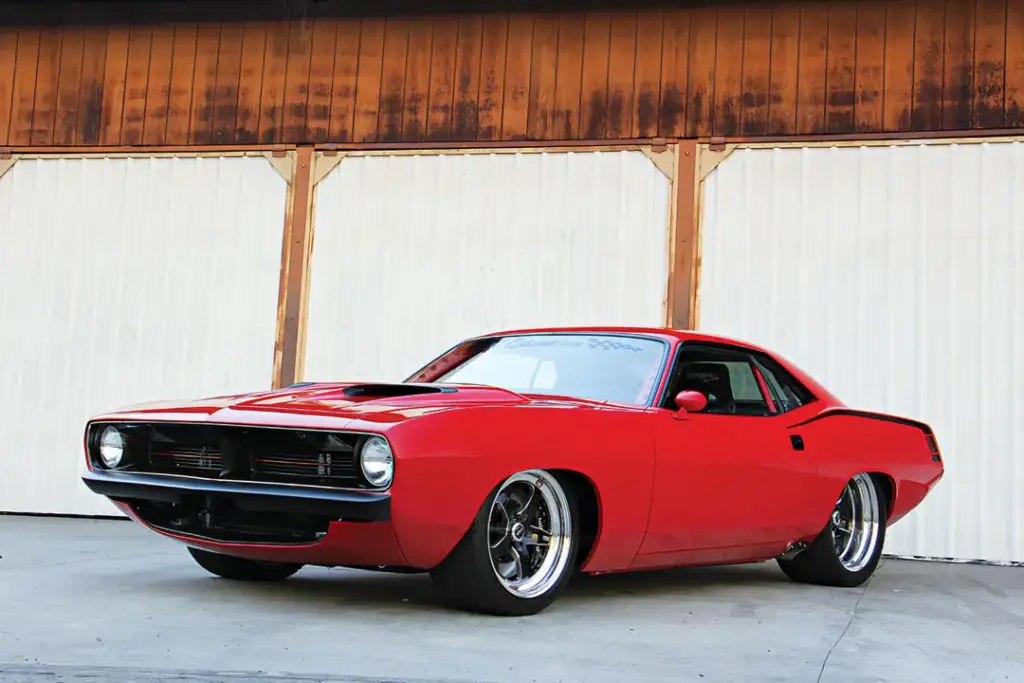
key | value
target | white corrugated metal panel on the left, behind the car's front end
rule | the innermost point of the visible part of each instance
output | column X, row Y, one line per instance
column 125, row 281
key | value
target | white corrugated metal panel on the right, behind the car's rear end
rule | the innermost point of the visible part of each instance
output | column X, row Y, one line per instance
column 893, row 274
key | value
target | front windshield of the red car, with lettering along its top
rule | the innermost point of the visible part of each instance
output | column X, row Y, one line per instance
column 604, row 368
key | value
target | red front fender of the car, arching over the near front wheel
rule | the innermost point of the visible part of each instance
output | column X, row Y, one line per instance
column 448, row 463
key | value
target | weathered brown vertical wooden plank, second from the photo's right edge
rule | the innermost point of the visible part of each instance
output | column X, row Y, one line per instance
column 990, row 53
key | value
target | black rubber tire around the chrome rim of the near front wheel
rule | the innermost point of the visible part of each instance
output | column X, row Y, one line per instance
column 467, row 580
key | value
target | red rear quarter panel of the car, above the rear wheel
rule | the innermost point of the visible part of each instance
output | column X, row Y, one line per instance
column 846, row 443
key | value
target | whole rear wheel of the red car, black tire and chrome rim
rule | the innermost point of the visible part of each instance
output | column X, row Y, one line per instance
column 848, row 550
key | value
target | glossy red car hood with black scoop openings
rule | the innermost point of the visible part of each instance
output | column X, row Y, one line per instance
column 334, row 405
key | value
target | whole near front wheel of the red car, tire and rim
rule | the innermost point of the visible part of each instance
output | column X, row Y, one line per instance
column 520, row 552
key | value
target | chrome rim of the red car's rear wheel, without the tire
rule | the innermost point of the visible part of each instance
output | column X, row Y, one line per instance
column 856, row 524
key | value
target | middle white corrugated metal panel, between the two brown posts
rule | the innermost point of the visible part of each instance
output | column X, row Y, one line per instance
column 413, row 253
